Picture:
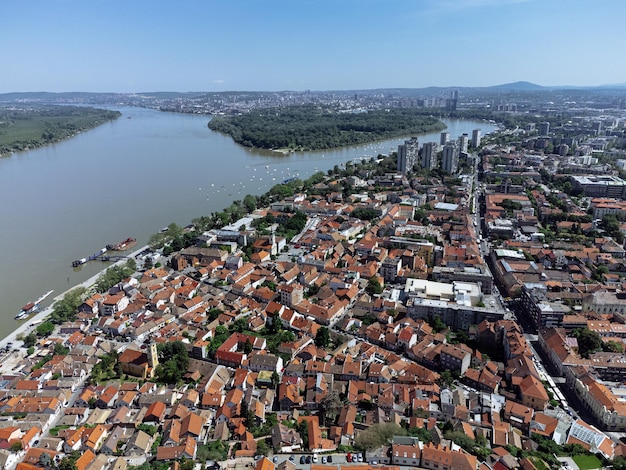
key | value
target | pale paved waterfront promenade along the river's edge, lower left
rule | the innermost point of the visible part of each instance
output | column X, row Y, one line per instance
column 9, row 360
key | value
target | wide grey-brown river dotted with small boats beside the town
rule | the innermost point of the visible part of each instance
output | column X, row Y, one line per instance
column 131, row 177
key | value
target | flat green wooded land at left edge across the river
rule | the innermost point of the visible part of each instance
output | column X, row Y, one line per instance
column 24, row 127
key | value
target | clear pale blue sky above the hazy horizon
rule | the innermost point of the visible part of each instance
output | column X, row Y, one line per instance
column 269, row 45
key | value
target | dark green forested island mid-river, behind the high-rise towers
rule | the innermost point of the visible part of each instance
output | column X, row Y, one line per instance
column 311, row 127
